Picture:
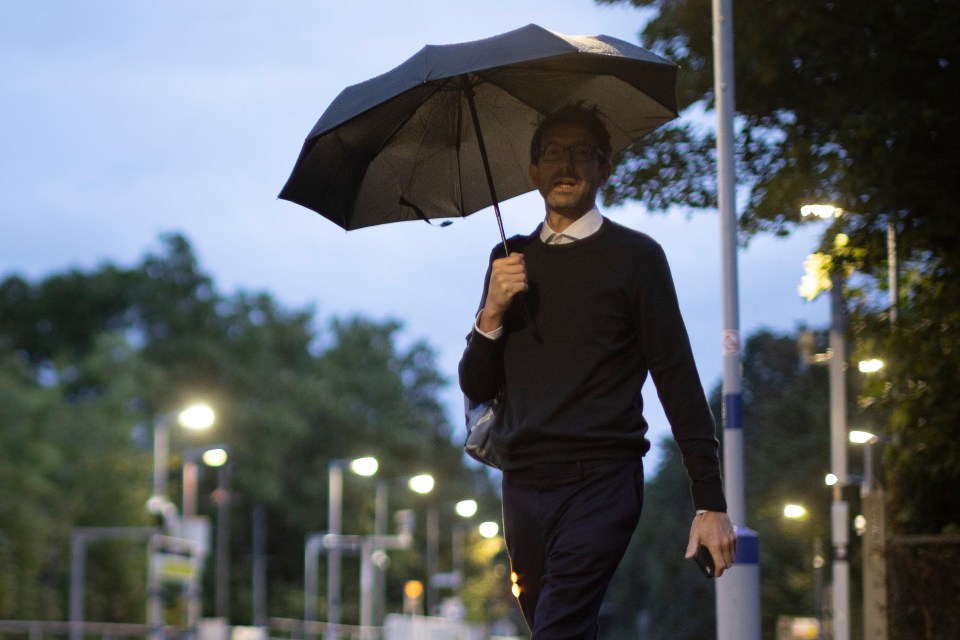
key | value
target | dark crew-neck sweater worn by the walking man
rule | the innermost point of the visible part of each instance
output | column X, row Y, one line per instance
column 599, row 316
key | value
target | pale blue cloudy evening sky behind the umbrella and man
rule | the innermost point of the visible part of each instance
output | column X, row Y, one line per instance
column 125, row 120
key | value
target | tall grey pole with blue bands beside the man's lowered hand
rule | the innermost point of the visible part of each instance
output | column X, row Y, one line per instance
column 738, row 591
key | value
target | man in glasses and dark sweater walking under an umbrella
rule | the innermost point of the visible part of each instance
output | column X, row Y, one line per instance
column 571, row 323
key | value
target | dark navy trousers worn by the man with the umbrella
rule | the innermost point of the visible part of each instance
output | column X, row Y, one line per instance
column 567, row 527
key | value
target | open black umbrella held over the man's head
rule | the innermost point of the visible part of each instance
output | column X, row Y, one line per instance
column 418, row 141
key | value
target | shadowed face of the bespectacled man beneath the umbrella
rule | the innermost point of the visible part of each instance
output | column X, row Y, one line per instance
column 569, row 185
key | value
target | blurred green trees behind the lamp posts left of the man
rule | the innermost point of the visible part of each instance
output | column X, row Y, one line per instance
column 89, row 360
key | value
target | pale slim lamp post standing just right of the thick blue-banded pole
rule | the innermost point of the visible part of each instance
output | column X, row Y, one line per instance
column 839, row 510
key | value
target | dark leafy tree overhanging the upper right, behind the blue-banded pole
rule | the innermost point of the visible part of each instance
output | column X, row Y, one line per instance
column 835, row 106
